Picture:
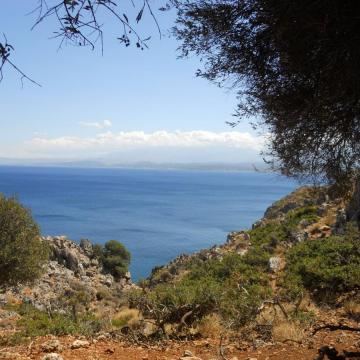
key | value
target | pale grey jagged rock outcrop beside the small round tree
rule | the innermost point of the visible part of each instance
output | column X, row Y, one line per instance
column 71, row 270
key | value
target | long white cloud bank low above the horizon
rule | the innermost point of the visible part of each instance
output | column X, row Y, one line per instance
column 138, row 139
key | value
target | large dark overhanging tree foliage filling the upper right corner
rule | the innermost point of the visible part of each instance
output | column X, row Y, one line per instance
column 296, row 66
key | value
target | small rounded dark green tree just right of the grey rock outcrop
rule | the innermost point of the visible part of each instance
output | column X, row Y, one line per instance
column 115, row 258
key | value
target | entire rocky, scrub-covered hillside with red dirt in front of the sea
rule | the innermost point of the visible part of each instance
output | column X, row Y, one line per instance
column 288, row 288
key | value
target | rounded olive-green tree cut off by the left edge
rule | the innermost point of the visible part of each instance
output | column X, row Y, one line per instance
column 22, row 253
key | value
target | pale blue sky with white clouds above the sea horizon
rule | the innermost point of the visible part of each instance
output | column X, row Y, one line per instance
column 125, row 104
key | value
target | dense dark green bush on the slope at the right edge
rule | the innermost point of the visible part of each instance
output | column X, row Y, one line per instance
column 326, row 267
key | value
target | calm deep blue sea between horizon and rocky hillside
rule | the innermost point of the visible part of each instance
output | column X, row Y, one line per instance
column 157, row 214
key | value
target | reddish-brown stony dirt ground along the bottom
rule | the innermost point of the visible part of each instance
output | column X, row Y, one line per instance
column 205, row 350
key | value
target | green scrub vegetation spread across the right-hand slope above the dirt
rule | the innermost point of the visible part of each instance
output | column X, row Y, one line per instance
column 234, row 288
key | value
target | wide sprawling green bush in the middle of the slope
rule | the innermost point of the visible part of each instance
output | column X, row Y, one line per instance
column 230, row 287
